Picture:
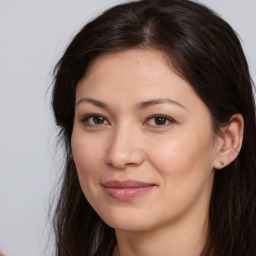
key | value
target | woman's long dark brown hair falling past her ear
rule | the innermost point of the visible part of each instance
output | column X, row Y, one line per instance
column 205, row 51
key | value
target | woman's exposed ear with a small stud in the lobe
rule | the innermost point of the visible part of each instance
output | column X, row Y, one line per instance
column 229, row 142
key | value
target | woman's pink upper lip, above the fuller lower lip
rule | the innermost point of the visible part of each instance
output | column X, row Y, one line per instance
column 126, row 184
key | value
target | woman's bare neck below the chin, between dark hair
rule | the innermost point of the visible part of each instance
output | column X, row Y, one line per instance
column 179, row 240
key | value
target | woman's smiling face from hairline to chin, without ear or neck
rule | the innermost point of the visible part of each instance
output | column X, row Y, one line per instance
column 142, row 142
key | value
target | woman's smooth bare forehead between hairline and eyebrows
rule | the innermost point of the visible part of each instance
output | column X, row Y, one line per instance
column 135, row 75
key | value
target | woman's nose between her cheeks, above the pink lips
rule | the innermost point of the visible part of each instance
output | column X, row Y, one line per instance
column 125, row 148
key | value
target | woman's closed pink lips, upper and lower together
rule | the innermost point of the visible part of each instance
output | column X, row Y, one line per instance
column 125, row 190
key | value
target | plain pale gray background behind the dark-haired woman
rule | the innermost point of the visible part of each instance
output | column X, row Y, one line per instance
column 33, row 35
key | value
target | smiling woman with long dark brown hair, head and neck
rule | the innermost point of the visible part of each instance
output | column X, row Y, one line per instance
column 155, row 107
